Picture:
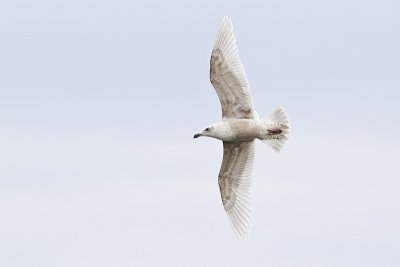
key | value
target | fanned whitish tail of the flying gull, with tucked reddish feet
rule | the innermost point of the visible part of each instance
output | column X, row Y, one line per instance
column 276, row 129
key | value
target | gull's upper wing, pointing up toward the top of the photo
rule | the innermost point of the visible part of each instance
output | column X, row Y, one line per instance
column 228, row 77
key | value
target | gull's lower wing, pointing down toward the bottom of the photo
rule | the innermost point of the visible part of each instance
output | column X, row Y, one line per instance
column 234, row 183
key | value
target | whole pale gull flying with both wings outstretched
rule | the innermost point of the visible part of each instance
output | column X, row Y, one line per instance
column 238, row 129
